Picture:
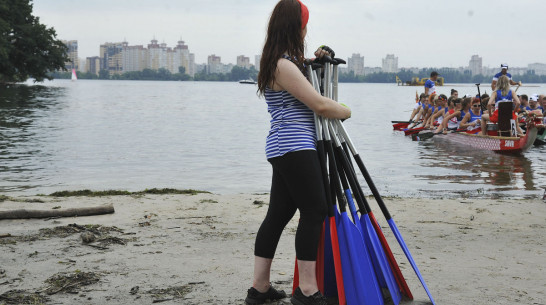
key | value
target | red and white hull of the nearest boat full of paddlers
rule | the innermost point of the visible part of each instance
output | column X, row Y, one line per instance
column 505, row 145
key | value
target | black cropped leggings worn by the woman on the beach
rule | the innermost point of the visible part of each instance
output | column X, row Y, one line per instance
column 297, row 184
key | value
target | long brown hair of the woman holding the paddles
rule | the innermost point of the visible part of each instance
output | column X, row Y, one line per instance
column 284, row 35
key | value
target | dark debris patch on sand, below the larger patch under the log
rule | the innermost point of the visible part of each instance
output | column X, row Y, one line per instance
column 70, row 282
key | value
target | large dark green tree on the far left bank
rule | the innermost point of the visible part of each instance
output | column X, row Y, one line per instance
column 27, row 47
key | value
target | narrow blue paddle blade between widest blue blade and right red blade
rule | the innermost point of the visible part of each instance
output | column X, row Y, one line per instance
column 370, row 236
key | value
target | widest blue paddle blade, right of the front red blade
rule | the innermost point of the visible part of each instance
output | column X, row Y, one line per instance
column 360, row 282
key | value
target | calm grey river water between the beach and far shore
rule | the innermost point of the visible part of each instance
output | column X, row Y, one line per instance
column 133, row 135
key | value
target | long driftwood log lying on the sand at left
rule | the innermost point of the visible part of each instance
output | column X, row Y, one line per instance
column 85, row 211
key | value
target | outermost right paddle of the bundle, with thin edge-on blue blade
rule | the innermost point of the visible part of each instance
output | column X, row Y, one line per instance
column 382, row 205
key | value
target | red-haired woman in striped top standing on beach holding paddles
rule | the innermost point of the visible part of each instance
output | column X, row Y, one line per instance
column 290, row 148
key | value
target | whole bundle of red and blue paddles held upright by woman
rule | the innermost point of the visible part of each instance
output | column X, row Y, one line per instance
column 354, row 262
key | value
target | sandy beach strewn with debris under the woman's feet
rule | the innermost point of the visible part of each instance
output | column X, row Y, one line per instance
column 198, row 249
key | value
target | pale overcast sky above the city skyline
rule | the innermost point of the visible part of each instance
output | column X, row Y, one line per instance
column 421, row 33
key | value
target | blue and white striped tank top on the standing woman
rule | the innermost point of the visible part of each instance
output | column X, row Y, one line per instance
column 292, row 124
